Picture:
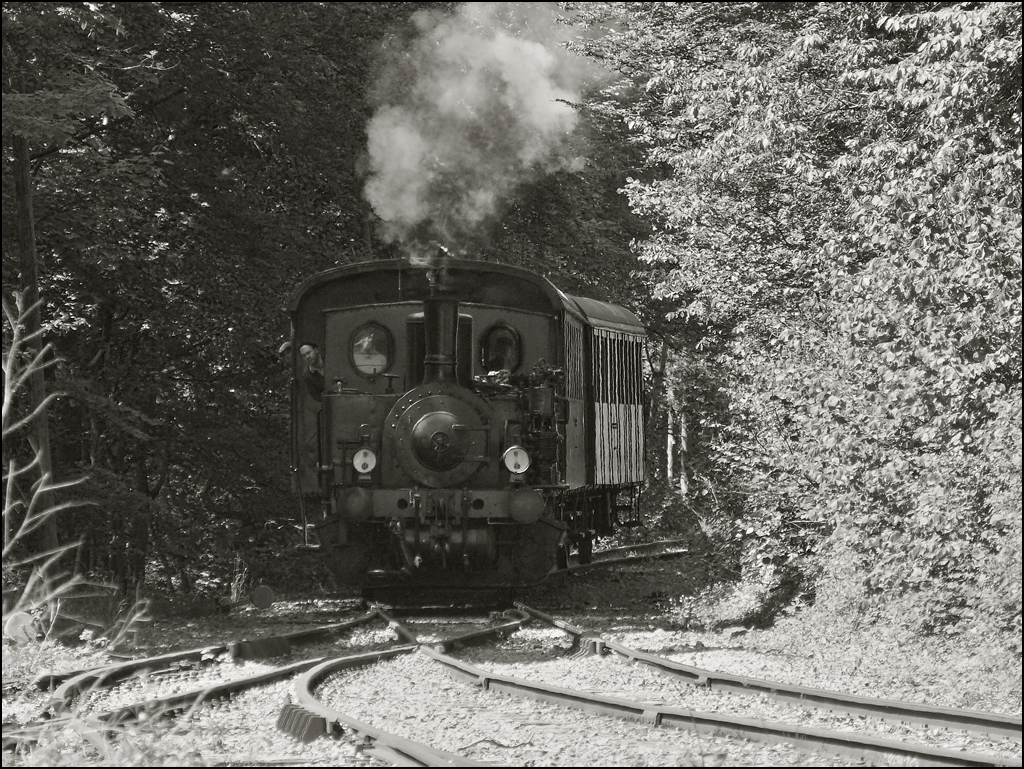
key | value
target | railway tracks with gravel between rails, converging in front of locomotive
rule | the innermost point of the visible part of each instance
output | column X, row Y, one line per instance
column 420, row 653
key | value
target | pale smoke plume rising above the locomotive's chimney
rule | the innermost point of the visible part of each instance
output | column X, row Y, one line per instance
column 471, row 107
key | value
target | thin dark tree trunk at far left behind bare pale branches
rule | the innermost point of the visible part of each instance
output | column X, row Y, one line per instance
column 30, row 292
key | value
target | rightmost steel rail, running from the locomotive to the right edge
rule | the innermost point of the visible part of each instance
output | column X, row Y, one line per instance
column 892, row 711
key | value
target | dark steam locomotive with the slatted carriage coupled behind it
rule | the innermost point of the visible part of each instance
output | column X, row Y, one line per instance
column 461, row 424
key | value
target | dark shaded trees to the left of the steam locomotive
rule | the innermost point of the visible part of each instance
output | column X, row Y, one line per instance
column 228, row 172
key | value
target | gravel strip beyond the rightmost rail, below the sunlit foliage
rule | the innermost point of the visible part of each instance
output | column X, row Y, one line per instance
column 637, row 608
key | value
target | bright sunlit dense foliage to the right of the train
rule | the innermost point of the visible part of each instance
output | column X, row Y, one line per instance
column 837, row 200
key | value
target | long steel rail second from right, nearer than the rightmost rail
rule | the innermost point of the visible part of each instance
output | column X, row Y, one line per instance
column 844, row 744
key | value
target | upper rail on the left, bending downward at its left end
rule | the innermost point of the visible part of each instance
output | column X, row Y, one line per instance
column 77, row 682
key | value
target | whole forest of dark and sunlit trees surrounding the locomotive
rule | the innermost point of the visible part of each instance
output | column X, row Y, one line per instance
column 816, row 209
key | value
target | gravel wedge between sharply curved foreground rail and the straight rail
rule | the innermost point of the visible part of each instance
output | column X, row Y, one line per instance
column 414, row 698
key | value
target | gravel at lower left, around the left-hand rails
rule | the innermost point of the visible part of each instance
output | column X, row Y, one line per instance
column 240, row 733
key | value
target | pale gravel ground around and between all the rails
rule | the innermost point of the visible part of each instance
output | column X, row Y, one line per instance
column 417, row 699
